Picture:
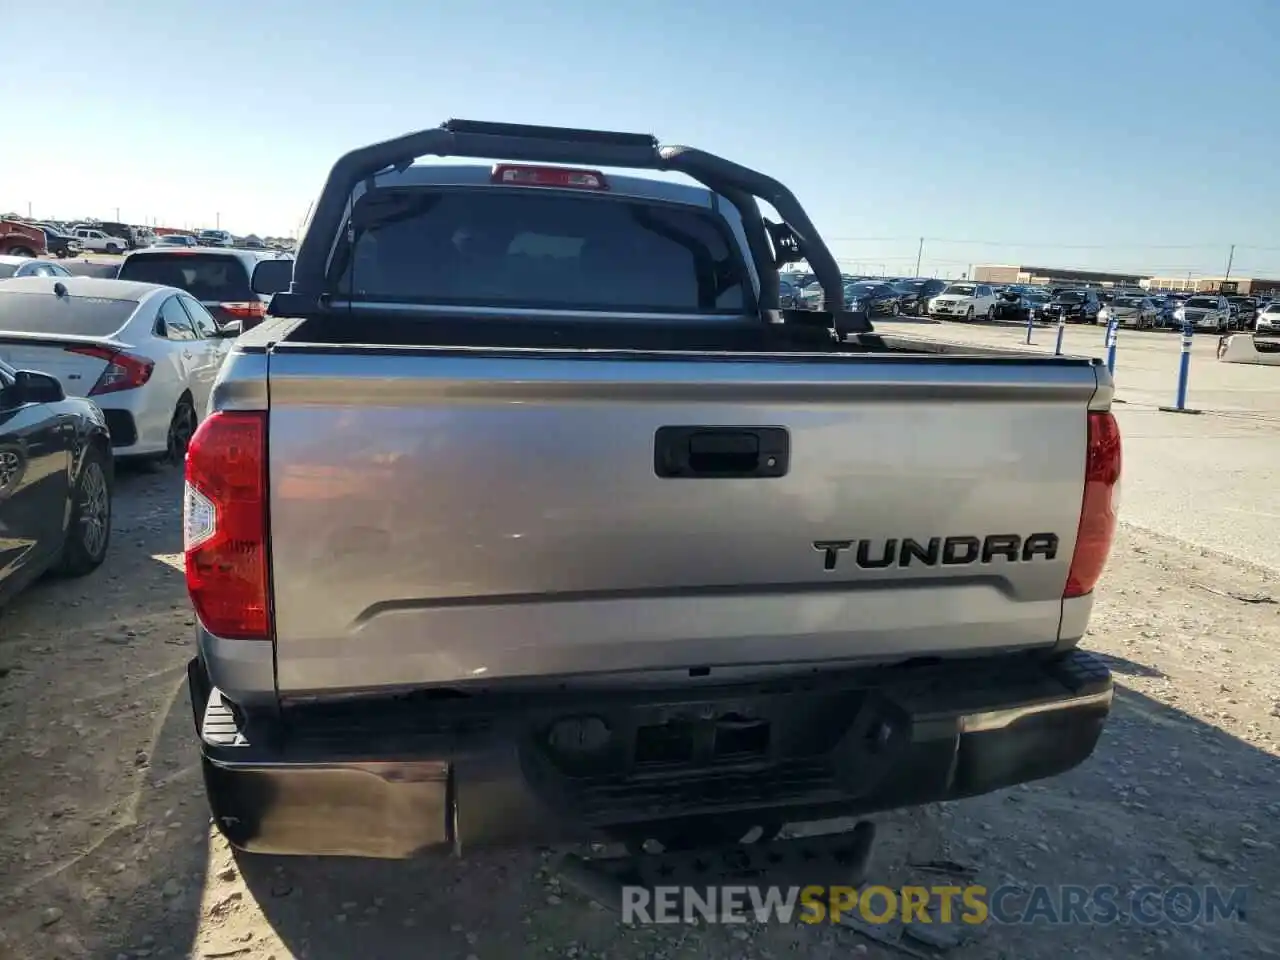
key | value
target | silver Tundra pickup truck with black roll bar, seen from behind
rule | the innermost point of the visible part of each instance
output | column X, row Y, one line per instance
column 528, row 516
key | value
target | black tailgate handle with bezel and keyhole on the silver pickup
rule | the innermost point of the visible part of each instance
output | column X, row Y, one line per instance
column 721, row 452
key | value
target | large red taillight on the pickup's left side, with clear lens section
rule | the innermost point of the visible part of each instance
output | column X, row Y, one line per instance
column 225, row 525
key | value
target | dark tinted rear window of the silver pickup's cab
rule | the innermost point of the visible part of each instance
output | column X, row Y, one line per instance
column 495, row 248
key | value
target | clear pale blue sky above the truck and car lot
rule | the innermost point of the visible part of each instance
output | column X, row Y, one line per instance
column 1096, row 134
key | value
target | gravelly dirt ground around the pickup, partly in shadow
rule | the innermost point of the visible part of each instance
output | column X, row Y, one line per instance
column 107, row 849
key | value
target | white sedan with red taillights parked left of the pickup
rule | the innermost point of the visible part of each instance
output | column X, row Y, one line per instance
column 147, row 355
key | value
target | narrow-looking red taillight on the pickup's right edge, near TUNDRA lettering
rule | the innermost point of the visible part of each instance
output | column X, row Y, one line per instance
column 1099, row 508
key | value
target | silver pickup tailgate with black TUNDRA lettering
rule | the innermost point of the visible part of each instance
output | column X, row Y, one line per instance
column 452, row 516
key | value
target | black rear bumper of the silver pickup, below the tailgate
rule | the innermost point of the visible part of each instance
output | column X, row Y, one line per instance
column 400, row 779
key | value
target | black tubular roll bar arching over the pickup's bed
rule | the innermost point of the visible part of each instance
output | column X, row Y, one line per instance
column 565, row 145
